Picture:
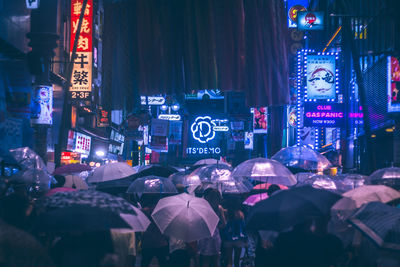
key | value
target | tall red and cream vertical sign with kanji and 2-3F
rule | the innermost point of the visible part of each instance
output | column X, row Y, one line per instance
column 81, row 81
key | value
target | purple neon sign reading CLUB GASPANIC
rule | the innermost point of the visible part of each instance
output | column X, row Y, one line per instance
column 322, row 115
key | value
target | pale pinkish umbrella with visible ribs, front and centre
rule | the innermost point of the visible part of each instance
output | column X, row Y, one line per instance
column 185, row 217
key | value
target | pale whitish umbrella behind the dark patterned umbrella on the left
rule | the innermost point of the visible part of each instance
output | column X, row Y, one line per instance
column 111, row 171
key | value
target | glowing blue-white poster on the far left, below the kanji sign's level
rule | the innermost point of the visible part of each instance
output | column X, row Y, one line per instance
column 42, row 105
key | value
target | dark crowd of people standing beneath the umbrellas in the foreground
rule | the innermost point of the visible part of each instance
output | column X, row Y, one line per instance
column 232, row 244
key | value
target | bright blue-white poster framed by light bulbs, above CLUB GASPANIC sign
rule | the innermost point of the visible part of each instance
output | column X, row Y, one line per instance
column 321, row 77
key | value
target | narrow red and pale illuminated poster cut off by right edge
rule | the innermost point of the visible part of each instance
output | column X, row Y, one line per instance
column 393, row 84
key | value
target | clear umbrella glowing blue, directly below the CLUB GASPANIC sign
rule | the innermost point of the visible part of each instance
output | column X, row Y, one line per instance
column 302, row 157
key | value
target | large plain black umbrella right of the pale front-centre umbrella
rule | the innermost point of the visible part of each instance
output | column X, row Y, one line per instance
column 290, row 207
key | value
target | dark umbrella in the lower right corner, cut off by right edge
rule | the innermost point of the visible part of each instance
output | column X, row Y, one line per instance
column 379, row 222
